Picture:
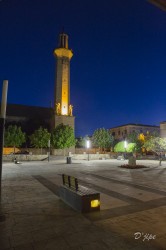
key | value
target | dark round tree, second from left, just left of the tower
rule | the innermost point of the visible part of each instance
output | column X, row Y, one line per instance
column 40, row 138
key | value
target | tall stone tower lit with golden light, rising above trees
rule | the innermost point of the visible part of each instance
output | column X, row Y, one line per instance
column 63, row 107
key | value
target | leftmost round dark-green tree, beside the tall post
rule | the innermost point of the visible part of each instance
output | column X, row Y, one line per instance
column 14, row 137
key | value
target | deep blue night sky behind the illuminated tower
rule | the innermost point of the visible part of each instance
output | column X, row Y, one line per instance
column 118, row 72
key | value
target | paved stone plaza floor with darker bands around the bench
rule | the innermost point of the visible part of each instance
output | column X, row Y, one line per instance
column 132, row 215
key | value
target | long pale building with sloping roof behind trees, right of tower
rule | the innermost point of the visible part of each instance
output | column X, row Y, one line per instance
column 121, row 132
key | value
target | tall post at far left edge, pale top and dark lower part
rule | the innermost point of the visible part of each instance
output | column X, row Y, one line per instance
column 2, row 124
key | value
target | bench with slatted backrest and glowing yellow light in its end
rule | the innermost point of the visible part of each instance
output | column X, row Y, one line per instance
column 80, row 198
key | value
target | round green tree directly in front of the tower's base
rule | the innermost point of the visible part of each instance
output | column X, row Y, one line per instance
column 63, row 137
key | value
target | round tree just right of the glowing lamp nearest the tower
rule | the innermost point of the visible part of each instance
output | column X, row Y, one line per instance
column 102, row 138
